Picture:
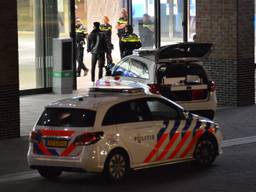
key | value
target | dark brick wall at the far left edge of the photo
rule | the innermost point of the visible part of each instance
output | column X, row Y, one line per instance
column 9, row 82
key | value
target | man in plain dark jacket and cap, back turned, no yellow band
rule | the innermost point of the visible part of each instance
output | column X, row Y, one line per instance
column 97, row 45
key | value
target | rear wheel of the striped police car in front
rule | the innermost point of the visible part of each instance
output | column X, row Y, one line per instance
column 116, row 166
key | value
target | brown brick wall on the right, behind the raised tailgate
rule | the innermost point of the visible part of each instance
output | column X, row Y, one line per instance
column 229, row 26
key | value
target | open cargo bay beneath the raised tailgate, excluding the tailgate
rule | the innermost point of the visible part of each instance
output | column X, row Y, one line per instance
column 183, row 82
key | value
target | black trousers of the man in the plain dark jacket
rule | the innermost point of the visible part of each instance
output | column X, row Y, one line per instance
column 100, row 58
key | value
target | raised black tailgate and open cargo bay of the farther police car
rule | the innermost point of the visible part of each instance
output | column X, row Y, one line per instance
column 180, row 76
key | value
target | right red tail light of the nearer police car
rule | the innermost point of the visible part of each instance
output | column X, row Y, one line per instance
column 88, row 138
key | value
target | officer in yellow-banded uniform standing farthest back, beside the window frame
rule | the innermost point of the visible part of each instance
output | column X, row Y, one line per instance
column 121, row 24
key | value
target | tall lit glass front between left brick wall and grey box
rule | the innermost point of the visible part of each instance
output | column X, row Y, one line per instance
column 39, row 21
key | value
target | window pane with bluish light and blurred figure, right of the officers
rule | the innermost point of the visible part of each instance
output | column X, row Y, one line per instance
column 143, row 19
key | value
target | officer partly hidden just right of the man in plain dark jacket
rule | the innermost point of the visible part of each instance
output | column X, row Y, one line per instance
column 106, row 28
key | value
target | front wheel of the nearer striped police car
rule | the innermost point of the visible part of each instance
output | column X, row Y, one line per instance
column 206, row 151
